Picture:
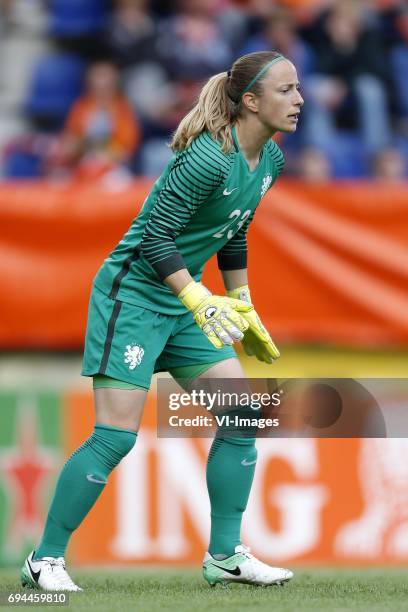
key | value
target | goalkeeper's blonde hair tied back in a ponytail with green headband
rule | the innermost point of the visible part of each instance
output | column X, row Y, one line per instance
column 220, row 102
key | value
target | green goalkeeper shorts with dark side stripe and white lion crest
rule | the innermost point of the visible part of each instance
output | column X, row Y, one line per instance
column 130, row 343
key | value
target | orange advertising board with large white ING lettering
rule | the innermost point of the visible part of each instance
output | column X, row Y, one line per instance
column 313, row 501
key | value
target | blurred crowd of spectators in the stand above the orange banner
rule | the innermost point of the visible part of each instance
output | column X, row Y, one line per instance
column 113, row 79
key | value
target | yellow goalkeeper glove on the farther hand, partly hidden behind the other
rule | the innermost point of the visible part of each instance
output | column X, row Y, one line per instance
column 256, row 340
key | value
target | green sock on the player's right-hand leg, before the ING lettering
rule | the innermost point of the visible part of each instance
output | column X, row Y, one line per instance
column 230, row 472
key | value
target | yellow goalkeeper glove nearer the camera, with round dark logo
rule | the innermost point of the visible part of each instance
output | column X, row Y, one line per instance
column 219, row 317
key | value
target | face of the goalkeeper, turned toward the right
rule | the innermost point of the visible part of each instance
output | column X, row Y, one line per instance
column 280, row 103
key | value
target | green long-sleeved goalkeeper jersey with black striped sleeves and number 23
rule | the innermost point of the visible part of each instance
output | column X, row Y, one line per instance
column 202, row 204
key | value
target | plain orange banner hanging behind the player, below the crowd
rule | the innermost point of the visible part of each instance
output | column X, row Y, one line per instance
column 327, row 263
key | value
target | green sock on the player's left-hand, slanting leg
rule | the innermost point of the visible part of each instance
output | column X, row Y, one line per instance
column 80, row 483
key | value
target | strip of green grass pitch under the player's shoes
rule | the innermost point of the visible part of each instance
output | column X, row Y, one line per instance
column 180, row 590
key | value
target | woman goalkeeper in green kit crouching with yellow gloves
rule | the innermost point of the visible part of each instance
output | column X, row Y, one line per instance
column 149, row 312
